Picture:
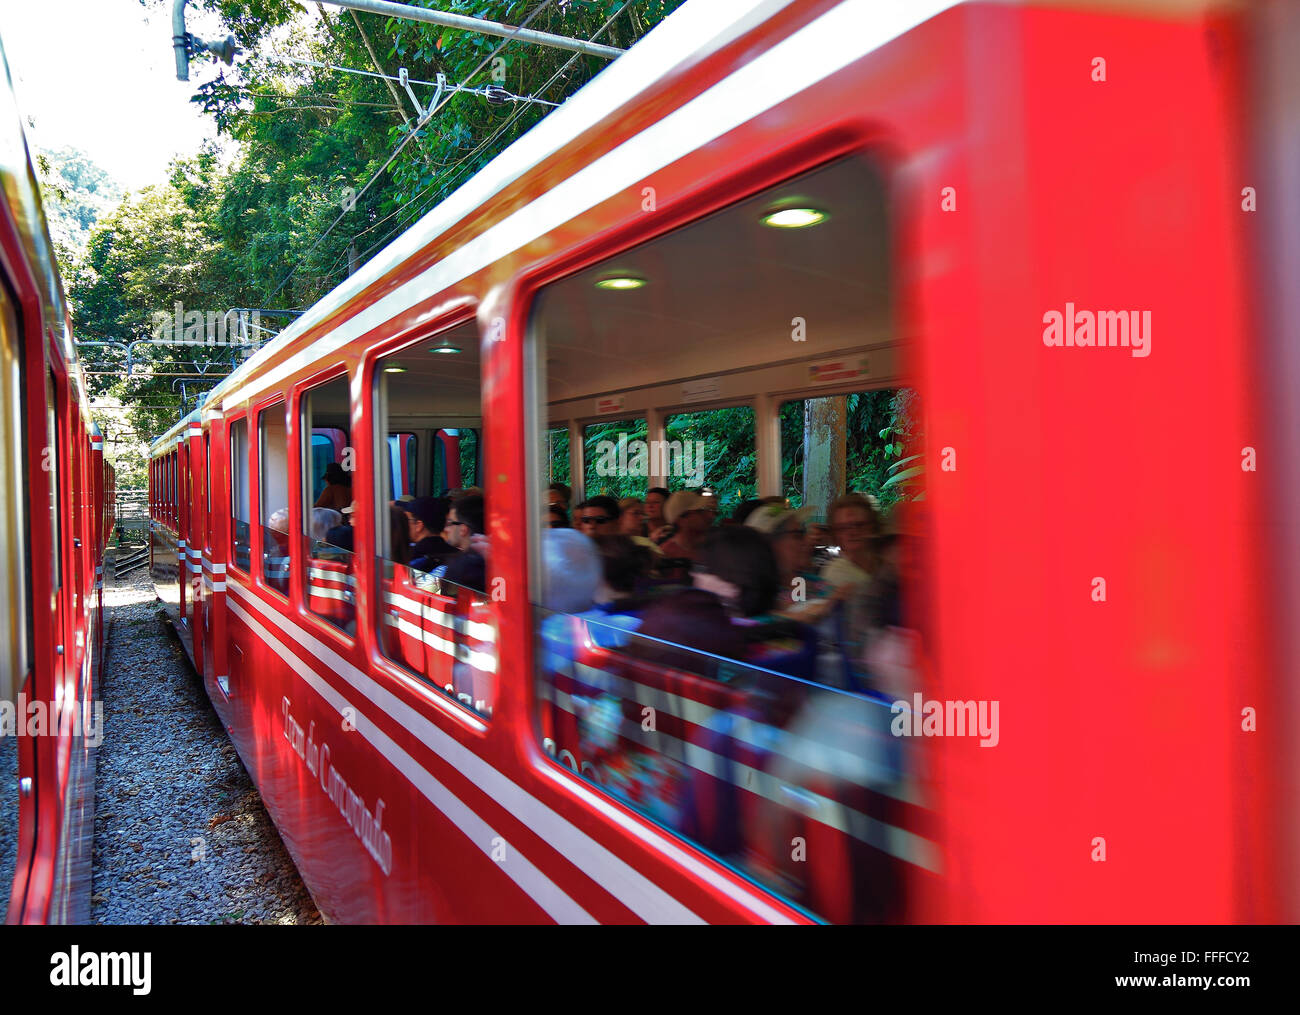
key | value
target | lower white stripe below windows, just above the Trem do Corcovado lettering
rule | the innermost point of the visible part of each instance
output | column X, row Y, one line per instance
column 523, row 873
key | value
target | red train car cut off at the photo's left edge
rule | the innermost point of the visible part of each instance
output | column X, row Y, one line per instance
column 55, row 518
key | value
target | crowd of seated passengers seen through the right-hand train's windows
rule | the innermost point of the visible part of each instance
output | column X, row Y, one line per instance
column 762, row 587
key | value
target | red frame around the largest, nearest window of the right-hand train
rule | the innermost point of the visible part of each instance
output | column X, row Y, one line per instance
column 605, row 249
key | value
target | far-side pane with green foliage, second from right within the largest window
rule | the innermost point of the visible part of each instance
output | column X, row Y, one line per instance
column 712, row 450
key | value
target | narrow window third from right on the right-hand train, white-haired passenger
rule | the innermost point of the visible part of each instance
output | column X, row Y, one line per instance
column 330, row 580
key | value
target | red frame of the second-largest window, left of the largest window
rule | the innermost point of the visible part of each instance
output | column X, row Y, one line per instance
column 380, row 493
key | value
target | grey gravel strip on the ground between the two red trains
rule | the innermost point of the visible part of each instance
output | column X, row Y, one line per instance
column 181, row 836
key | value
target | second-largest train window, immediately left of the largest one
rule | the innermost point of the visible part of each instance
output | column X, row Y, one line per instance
column 434, row 613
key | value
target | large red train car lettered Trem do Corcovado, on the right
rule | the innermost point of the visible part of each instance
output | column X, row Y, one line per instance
column 1021, row 228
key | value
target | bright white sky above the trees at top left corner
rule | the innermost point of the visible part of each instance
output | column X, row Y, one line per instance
column 101, row 76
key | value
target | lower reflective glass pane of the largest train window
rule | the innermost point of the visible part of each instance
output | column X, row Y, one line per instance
column 742, row 758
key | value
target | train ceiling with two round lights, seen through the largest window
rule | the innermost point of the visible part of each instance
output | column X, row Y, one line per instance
column 723, row 294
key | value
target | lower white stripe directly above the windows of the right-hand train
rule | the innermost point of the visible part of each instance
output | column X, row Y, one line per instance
column 800, row 62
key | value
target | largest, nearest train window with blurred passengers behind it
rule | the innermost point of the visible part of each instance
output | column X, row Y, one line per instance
column 731, row 680
